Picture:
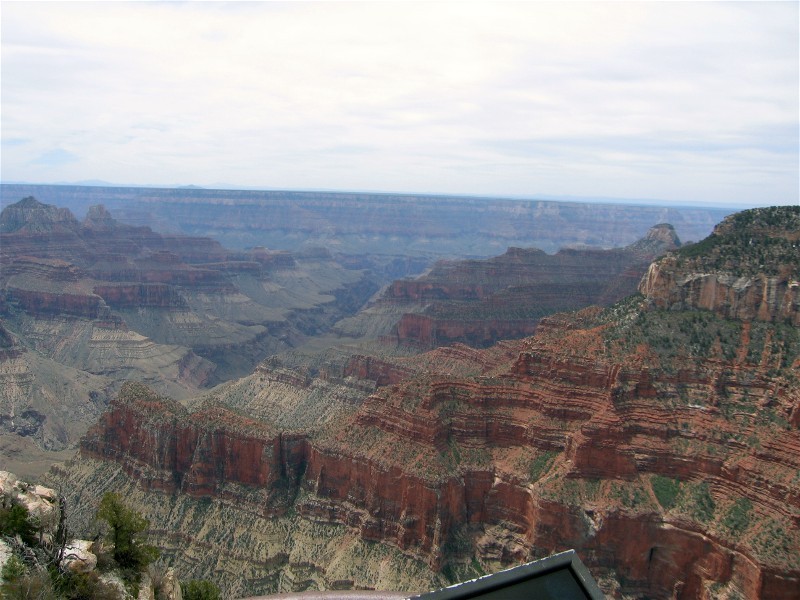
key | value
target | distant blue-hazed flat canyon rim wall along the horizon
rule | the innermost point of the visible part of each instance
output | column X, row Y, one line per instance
column 379, row 225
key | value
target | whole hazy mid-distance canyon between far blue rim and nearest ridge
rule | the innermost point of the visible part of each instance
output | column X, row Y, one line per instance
column 96, row 302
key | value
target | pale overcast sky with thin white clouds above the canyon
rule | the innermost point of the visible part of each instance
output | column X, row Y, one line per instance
column 675, row 101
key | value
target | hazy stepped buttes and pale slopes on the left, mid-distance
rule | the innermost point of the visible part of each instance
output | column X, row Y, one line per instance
column 85, row 305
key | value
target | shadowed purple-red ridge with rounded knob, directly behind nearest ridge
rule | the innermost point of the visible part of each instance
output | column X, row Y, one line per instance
column 480, row 302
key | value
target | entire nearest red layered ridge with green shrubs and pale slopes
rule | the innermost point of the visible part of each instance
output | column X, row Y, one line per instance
column 658, row 437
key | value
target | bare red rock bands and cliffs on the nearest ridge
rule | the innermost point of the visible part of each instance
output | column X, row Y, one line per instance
column 614, row 423
